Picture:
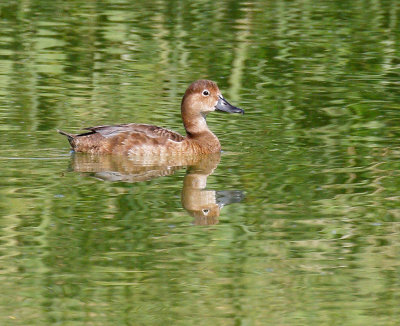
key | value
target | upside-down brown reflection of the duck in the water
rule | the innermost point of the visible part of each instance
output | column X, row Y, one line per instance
column 203, row 204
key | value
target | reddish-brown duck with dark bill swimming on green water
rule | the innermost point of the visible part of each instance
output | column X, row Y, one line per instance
column 137, row 140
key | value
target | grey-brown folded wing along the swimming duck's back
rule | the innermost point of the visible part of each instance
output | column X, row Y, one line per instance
column 144, row 129
